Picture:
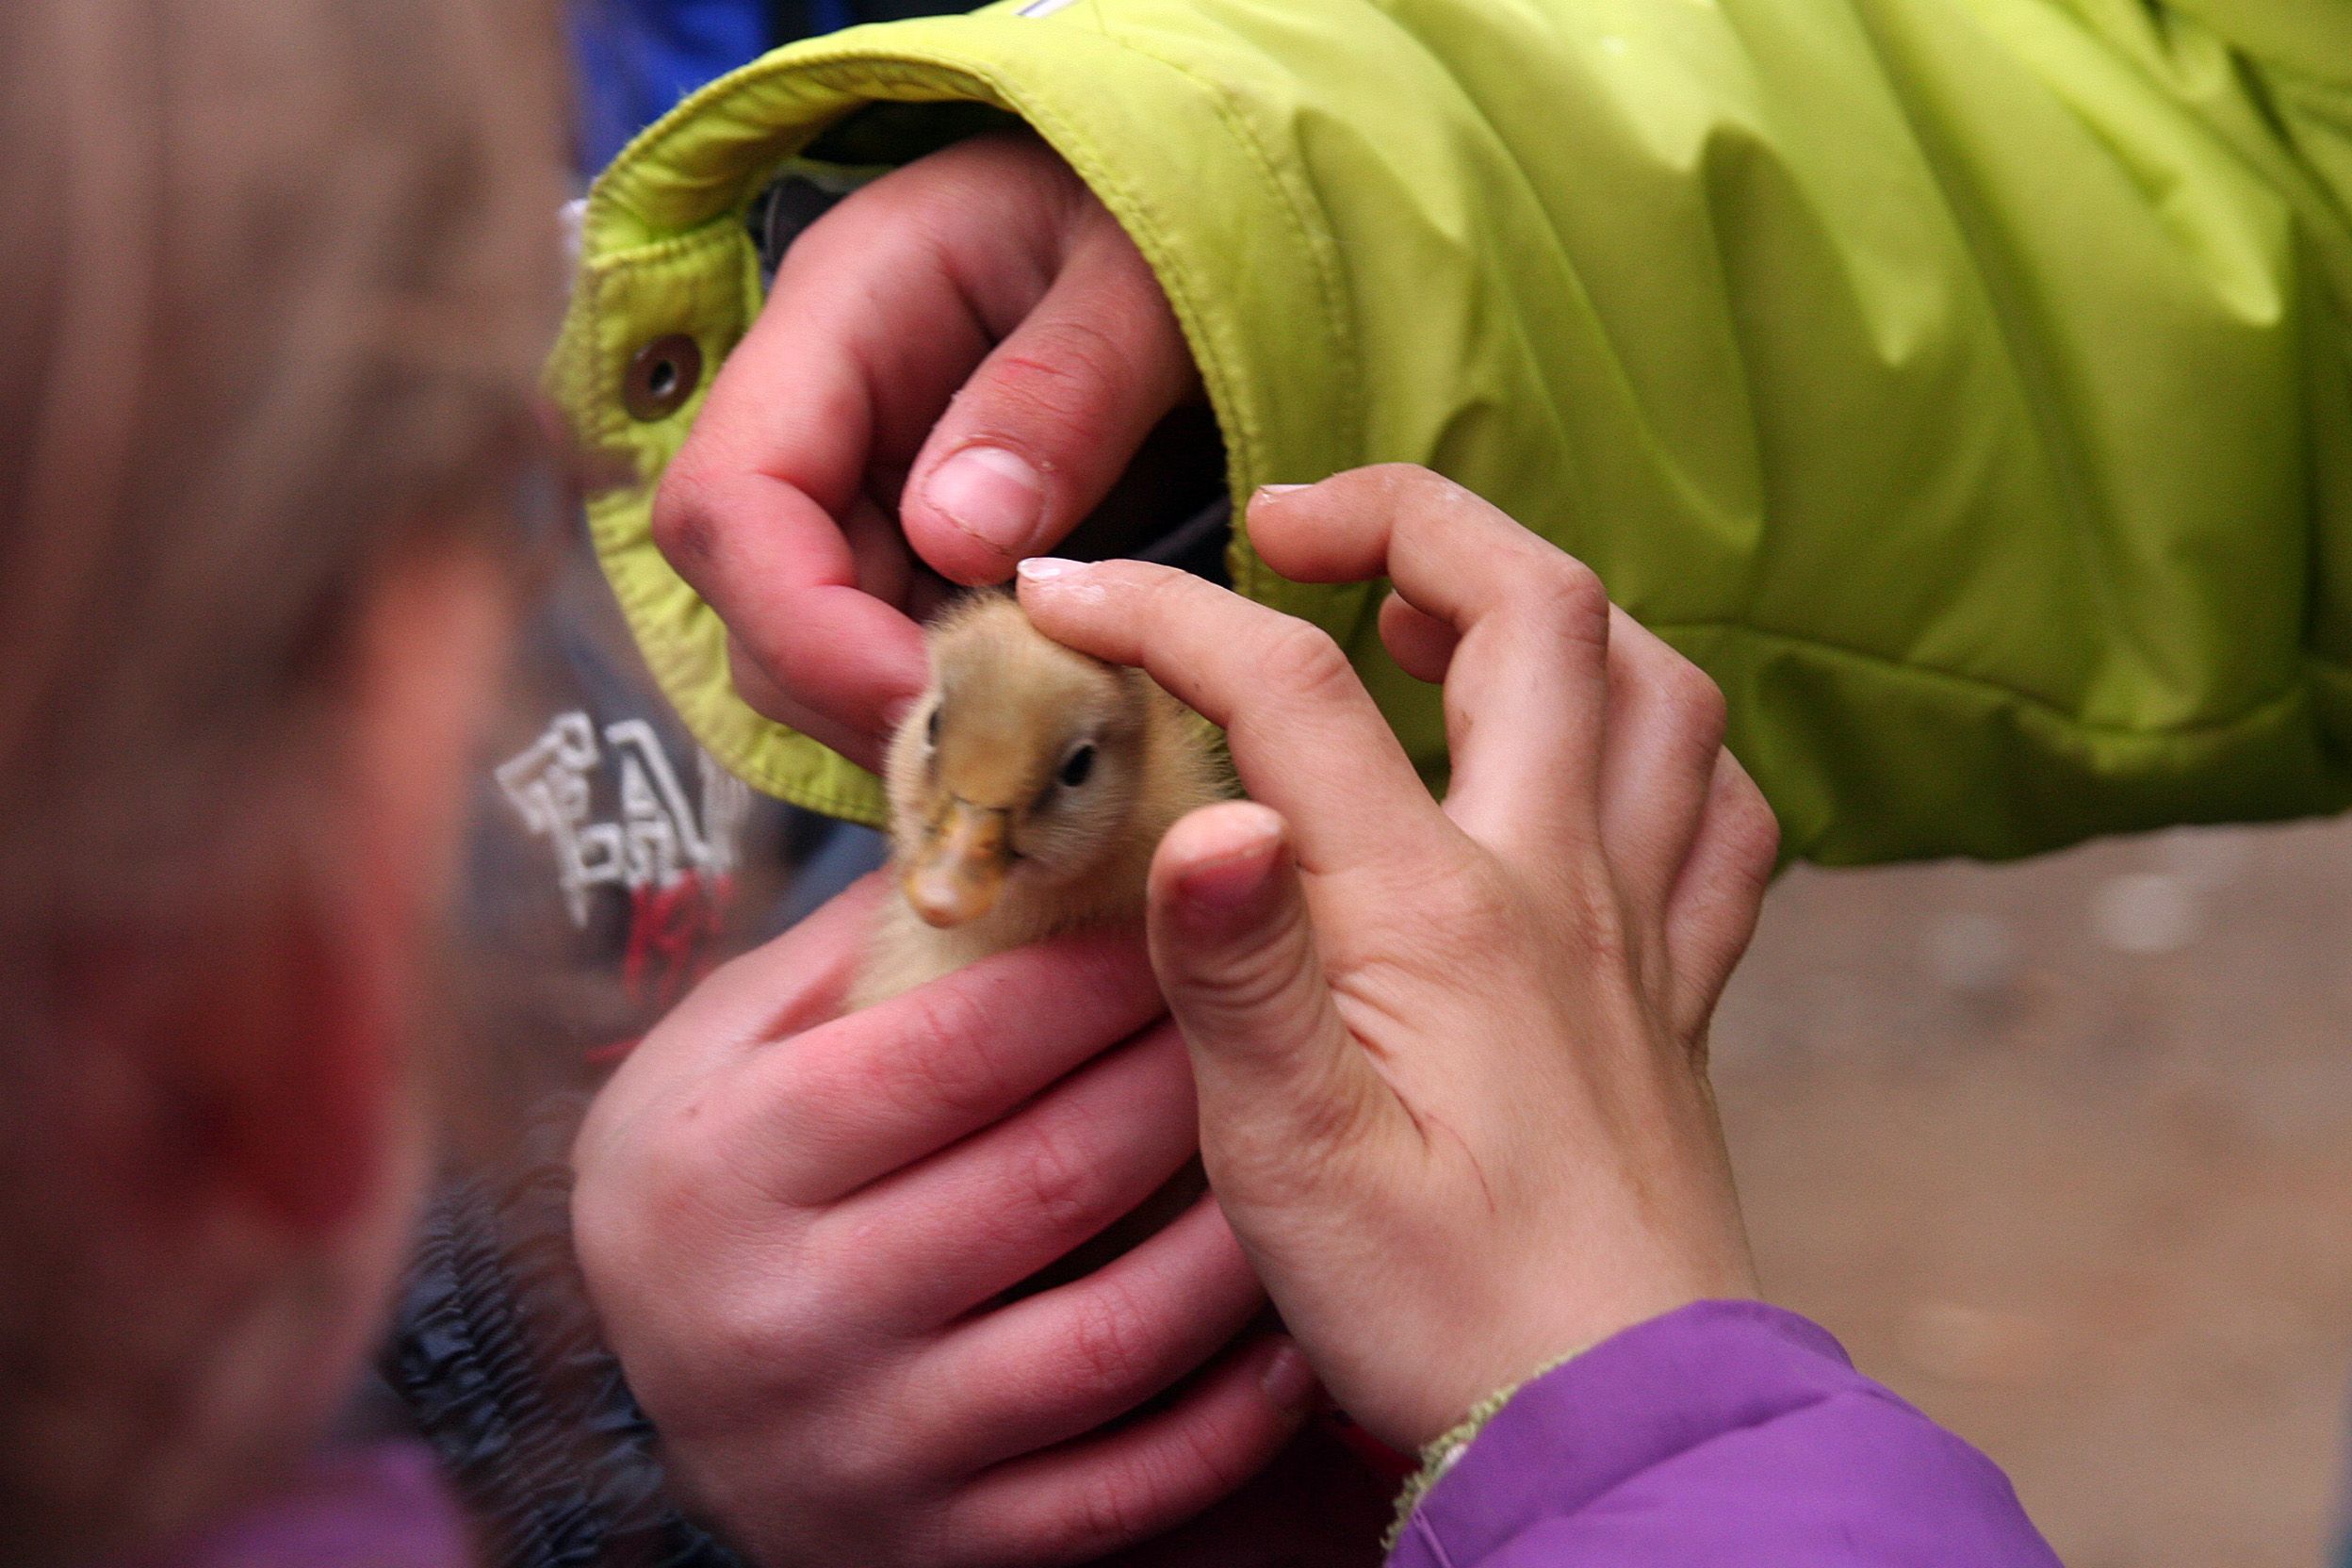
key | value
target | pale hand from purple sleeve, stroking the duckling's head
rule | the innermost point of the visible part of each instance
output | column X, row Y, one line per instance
column 1452, row 1061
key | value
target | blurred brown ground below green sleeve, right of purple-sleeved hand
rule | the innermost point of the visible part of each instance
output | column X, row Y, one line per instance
column 2064, row 1153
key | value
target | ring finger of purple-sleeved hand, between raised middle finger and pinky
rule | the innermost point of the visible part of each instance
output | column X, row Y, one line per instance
column 1666, row 737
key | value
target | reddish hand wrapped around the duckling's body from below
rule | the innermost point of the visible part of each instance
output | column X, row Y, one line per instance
column 794, row 1233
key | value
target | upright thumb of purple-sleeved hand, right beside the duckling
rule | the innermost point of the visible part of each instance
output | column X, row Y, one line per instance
column 1278, row 1076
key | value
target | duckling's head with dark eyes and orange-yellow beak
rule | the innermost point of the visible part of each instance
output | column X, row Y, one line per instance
column 1017, row 775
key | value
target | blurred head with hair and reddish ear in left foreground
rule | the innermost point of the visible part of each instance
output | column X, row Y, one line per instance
column 274, row 290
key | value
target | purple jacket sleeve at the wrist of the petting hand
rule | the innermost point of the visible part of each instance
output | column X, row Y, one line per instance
column 1725, row 1433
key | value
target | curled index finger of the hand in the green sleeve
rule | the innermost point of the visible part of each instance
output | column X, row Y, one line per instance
column 878, row 314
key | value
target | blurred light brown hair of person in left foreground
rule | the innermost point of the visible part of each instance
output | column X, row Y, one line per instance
column 274, row 288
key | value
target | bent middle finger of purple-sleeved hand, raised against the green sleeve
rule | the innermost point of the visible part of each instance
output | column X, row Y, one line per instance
column 1528, row 683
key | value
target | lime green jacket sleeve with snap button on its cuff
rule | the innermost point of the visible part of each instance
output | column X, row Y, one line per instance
column 1960, row 382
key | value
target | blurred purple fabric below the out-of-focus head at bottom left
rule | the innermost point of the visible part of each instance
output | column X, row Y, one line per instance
column 382, row 1506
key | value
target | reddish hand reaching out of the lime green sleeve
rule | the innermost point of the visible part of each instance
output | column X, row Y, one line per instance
column 982, row 288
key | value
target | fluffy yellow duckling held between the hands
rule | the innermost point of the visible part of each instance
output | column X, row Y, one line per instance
column 1029, row 789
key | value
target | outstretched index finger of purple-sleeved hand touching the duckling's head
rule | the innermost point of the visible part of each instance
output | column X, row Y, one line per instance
column 1304, row 735
